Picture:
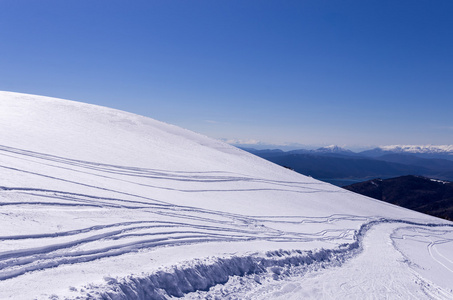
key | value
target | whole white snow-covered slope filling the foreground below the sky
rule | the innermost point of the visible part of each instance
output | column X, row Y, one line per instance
column 97, row 203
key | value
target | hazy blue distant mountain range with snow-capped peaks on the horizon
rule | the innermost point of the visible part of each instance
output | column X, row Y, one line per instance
column 341, row 166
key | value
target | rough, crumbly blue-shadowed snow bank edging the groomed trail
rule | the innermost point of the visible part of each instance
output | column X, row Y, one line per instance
column 199, row 276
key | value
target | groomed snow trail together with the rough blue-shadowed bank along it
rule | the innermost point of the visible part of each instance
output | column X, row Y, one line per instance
column 369, row 268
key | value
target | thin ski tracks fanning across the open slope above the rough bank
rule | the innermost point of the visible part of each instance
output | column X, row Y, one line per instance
column 213, row 225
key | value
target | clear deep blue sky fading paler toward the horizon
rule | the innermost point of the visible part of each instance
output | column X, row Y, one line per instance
column 352, row 73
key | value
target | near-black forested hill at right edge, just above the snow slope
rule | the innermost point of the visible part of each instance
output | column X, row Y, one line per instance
column 433, row 197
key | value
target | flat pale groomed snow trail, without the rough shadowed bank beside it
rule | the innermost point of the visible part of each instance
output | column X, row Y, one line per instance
column 379, row 271
